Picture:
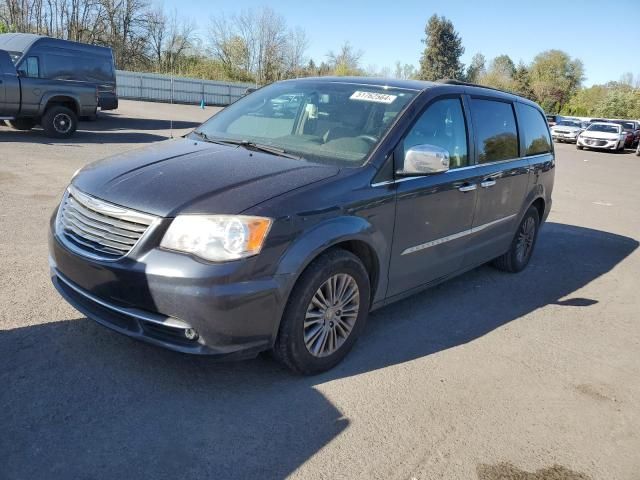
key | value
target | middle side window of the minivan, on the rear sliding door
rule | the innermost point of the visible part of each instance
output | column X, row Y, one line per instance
column 496, row 131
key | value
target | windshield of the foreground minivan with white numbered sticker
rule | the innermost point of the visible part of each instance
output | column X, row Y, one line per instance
column 326, row 122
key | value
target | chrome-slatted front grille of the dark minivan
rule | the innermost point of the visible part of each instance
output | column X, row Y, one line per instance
column 99, row 229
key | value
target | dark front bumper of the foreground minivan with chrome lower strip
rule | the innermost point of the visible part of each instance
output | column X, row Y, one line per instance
column 159, row 296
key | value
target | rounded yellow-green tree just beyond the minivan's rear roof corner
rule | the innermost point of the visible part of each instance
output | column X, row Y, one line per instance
column 554, row 78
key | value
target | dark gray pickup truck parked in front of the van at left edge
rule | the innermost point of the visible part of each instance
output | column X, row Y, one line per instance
column 27, row 100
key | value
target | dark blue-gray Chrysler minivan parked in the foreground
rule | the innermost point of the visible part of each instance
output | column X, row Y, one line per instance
column 280, row 229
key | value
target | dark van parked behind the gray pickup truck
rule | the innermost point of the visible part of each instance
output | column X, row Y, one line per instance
column 54, row 59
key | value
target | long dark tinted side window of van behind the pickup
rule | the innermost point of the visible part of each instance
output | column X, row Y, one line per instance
column 80, row 68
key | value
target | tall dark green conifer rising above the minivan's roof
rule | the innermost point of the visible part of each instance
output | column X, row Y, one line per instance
column 443, row 49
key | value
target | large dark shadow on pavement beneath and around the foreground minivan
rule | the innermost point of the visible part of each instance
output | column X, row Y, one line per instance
column 81, row 401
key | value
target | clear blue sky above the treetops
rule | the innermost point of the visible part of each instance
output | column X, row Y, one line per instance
column 605, row 35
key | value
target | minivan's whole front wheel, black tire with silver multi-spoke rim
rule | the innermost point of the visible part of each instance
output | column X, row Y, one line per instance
column 303, row 306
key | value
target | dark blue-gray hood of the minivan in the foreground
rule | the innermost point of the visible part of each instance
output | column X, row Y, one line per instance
column 187, row 176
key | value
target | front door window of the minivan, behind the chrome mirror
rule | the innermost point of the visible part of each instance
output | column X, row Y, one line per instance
column 442, row 124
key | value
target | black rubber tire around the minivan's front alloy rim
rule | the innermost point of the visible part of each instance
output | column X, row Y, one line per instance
column 290, row 348
